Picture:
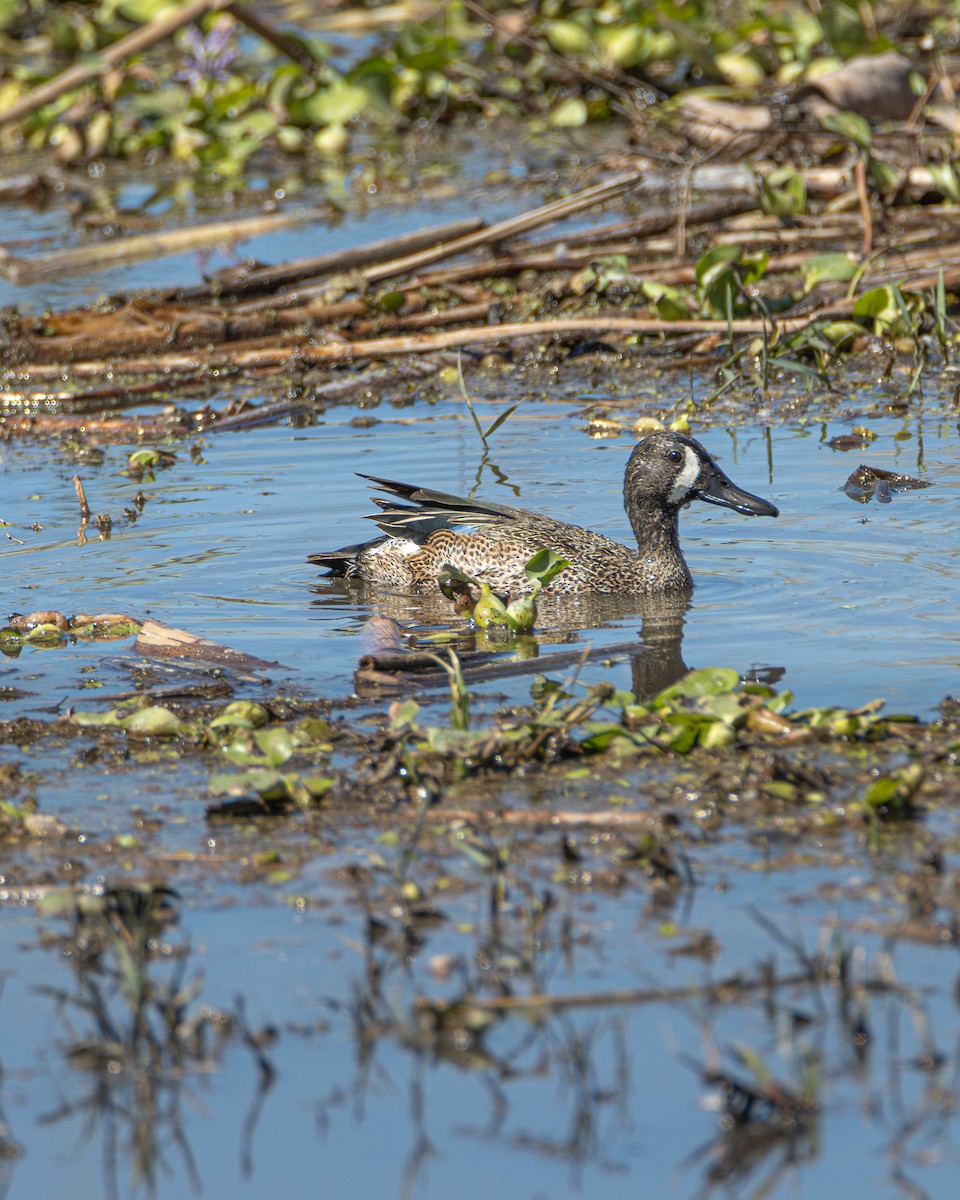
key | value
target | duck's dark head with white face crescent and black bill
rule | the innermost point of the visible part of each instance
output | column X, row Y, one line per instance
column 670, row 470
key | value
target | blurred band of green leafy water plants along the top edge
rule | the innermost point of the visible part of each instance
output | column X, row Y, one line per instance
column 213, row 99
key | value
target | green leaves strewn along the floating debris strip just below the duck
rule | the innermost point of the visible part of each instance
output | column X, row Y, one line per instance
column 710, row 711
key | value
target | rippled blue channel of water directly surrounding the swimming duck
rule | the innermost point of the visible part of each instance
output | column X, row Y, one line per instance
column 851, row 601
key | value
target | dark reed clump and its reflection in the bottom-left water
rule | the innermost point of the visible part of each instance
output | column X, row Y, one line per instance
column 135, row 1034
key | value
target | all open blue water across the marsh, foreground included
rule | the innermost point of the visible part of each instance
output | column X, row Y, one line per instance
column 849, row 602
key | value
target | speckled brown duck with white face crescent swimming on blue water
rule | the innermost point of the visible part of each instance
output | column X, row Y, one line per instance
column 493, row 542
